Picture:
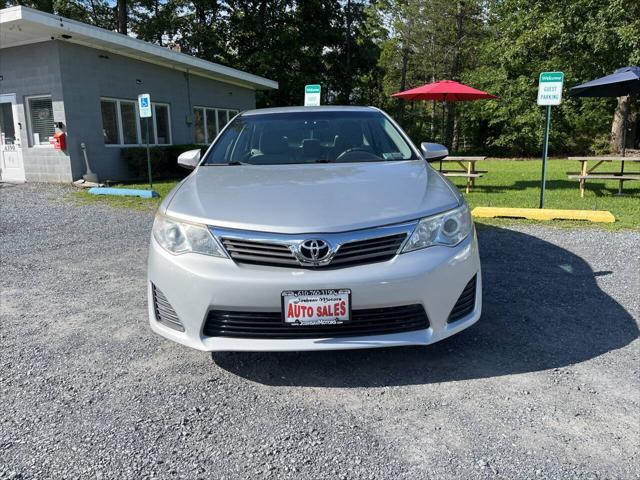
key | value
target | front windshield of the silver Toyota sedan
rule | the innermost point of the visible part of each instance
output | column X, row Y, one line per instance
column 309, row 137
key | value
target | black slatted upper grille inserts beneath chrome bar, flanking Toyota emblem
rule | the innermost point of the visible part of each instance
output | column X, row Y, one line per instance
column 370, row 250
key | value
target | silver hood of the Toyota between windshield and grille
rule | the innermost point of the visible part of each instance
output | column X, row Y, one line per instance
column 311, row 198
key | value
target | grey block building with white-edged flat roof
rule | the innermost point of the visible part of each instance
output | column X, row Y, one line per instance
column 59, row 75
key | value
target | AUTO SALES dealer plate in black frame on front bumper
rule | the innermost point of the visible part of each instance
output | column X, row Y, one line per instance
column 338, row 294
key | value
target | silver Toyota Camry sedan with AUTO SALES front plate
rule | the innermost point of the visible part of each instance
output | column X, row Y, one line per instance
column 312, row 228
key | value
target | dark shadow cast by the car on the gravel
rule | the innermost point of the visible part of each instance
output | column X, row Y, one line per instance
column 542, row 309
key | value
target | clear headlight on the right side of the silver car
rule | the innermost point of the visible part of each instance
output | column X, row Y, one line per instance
column 448, row 228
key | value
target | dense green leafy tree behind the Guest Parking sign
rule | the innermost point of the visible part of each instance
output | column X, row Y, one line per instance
column 584, row 38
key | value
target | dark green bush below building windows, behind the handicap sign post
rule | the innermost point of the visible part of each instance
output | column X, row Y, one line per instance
column 164, row 160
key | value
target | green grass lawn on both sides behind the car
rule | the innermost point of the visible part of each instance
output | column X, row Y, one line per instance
column 509, row 183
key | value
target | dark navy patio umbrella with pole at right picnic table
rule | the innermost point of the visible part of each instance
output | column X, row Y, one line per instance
column 624, row 81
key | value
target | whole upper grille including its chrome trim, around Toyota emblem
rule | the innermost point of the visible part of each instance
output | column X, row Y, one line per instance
column 352, row 248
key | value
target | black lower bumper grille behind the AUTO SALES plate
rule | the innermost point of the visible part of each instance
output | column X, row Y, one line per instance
column 269, row 325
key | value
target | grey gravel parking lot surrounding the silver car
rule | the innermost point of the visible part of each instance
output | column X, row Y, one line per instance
column 546, row 385
